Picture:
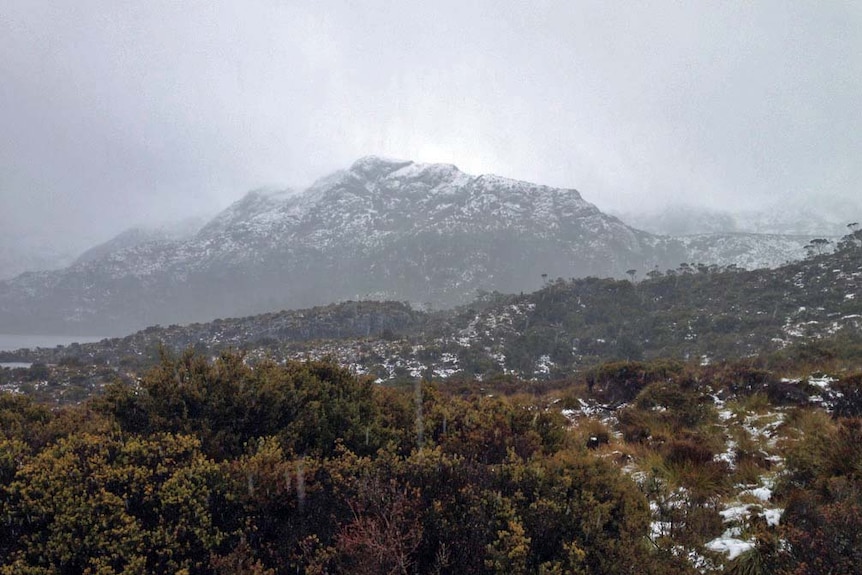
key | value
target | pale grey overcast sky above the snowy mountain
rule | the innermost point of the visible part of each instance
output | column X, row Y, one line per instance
column 116, row 112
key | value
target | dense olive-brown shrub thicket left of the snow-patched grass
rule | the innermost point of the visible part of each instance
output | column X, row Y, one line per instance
column 224, row 468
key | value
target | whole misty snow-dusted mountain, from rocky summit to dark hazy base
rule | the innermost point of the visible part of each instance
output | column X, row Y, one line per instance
column 425, row 233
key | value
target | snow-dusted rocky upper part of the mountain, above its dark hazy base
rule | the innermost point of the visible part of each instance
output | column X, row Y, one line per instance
column 378, row 203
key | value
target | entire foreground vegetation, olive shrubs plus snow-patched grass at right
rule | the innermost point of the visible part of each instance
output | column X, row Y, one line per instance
column 221, row 467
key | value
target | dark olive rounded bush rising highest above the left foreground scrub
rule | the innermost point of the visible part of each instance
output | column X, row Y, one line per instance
column 227, row 403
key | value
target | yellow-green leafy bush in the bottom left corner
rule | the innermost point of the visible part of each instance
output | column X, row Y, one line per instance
column 95, row 504
